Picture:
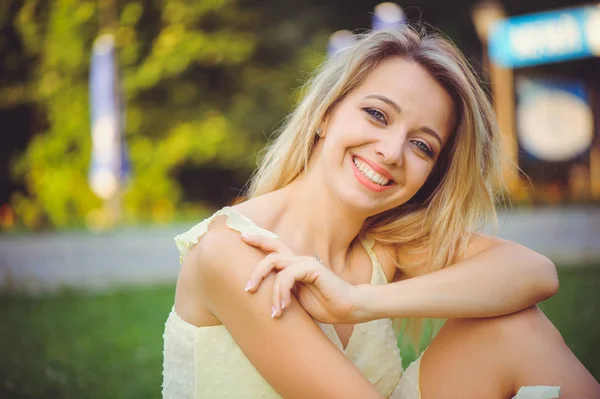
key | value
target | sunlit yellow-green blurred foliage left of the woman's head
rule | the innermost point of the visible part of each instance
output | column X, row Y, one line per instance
column 199, row 91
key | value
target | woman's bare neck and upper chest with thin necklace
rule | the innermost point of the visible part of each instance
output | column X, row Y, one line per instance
column 317, row 222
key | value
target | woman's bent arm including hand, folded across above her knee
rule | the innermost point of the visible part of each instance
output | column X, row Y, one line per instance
column 495, row 277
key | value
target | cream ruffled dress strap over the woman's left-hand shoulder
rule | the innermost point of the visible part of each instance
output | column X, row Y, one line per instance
column 234, row 221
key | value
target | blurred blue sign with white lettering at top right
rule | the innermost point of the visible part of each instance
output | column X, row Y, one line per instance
column 546, row 37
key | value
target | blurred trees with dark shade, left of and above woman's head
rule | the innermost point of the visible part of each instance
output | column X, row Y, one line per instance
column 205, row 82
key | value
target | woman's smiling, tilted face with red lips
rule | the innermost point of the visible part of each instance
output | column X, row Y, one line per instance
column 384, row 138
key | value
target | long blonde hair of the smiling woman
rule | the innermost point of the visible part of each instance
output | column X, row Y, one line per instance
column 459, row 195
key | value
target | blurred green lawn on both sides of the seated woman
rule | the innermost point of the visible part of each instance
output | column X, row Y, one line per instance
column 110, row 346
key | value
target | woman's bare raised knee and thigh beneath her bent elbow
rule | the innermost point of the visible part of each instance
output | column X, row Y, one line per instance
column 499, row 355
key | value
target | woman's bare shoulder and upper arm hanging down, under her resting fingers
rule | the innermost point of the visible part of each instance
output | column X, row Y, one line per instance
column 291, row 353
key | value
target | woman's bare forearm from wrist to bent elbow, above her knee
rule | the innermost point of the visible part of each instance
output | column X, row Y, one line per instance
column 500, row 280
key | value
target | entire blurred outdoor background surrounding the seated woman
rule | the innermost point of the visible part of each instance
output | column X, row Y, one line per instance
column 125, row 122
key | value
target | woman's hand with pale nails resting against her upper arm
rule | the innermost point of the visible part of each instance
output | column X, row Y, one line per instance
column 324, row 295
